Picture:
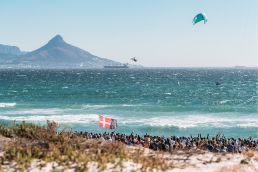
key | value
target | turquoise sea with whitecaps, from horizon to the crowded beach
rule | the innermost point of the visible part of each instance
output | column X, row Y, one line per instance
column 155, row 101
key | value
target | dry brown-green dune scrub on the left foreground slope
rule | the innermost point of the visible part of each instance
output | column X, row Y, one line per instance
column 69, row 149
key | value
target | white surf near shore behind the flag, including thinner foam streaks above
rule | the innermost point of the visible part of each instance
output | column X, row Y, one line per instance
column 216, row 120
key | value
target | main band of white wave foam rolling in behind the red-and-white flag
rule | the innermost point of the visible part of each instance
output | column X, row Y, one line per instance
column 183, row 121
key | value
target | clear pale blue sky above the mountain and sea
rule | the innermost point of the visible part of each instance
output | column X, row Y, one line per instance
column 158, row 33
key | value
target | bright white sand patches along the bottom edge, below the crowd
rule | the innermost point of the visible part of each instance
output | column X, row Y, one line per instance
column 207, row 162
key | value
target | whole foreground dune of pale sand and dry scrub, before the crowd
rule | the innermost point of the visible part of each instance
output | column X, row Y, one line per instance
column 30, row 147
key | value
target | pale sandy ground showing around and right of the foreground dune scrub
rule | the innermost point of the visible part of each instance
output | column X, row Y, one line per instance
column 182, row 162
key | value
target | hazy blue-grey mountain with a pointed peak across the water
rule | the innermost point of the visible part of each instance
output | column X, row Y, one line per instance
column 59, row 54
